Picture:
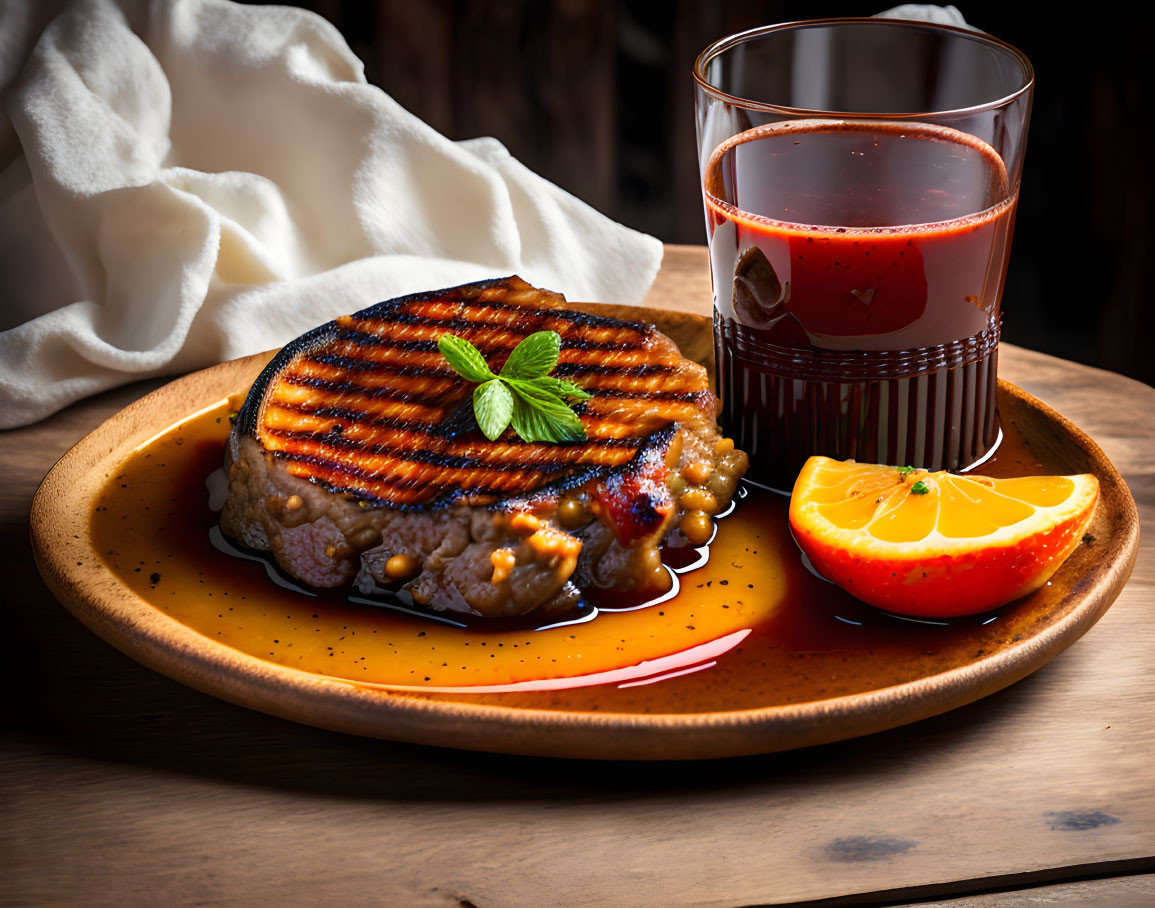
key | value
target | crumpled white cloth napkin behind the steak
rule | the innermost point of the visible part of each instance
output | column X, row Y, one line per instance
column 185, row 182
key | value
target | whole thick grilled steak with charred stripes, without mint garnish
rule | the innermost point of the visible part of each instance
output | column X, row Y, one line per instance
column 356, row 459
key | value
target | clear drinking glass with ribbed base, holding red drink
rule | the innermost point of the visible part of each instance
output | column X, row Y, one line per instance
column 860, row 181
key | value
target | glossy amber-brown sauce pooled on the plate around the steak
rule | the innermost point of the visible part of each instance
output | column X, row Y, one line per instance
column 751, row 628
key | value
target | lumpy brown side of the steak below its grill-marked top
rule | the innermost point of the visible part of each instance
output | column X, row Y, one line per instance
column 606, row 535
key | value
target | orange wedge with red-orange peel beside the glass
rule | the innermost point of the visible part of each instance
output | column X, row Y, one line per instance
column 936, row 545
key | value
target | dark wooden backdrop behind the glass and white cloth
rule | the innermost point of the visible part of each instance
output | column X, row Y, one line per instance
column 597, row 96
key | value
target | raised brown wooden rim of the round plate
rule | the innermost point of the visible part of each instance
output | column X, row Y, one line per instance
column 147, row 635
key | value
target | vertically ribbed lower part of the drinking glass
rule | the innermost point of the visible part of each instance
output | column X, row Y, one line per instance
column 932, row 407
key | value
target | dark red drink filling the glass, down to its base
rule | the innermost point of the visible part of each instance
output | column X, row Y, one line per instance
column 863, row 316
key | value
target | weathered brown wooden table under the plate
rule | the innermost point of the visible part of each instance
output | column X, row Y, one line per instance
column 123, row 787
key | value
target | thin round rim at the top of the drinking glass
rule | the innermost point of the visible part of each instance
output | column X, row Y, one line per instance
column 725, row 44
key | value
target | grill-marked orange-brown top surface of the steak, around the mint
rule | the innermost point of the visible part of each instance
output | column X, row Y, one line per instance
column 368, row 406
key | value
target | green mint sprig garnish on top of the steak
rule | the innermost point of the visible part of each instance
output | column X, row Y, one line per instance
column 525, row 395
